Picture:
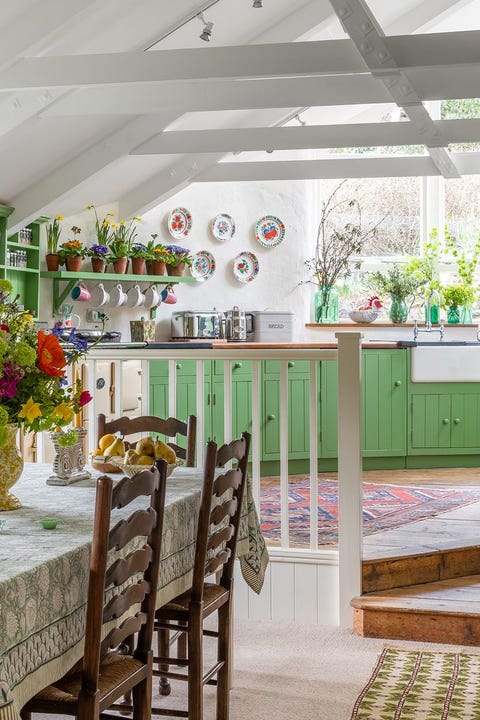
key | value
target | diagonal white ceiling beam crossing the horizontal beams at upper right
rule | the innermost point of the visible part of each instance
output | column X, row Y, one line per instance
column 376, row 50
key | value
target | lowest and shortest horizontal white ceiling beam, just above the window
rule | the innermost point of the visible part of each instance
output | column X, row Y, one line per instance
column 339, row 167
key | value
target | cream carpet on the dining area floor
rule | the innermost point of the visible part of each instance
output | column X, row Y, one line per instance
column 287, row 672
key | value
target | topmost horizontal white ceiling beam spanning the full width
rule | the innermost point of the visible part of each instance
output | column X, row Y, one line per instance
column 319, row 58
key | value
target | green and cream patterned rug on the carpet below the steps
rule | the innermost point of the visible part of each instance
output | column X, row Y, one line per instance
column 418, row 685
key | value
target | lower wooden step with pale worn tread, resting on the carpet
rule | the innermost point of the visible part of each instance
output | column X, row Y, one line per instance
column 446, row 611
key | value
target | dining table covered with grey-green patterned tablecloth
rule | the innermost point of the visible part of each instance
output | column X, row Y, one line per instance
column 44, row 572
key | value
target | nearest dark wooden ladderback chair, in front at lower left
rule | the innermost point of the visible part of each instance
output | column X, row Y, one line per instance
column 124, row 566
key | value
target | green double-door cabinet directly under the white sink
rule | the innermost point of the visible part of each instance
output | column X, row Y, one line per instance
column 444, row 418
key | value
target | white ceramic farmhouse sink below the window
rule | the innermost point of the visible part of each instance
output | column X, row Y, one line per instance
column 448, row 363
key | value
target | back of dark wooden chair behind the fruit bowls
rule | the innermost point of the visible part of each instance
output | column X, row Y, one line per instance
column 171, row 427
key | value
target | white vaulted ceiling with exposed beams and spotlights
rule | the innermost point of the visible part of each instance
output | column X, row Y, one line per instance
column 114, row 100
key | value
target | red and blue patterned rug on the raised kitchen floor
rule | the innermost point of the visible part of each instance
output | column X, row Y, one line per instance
column 384, row 507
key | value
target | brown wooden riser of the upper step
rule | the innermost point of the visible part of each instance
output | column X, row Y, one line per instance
column 401, row 571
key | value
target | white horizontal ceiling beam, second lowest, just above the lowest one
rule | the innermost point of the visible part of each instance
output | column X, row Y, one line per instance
column 303, row 138
